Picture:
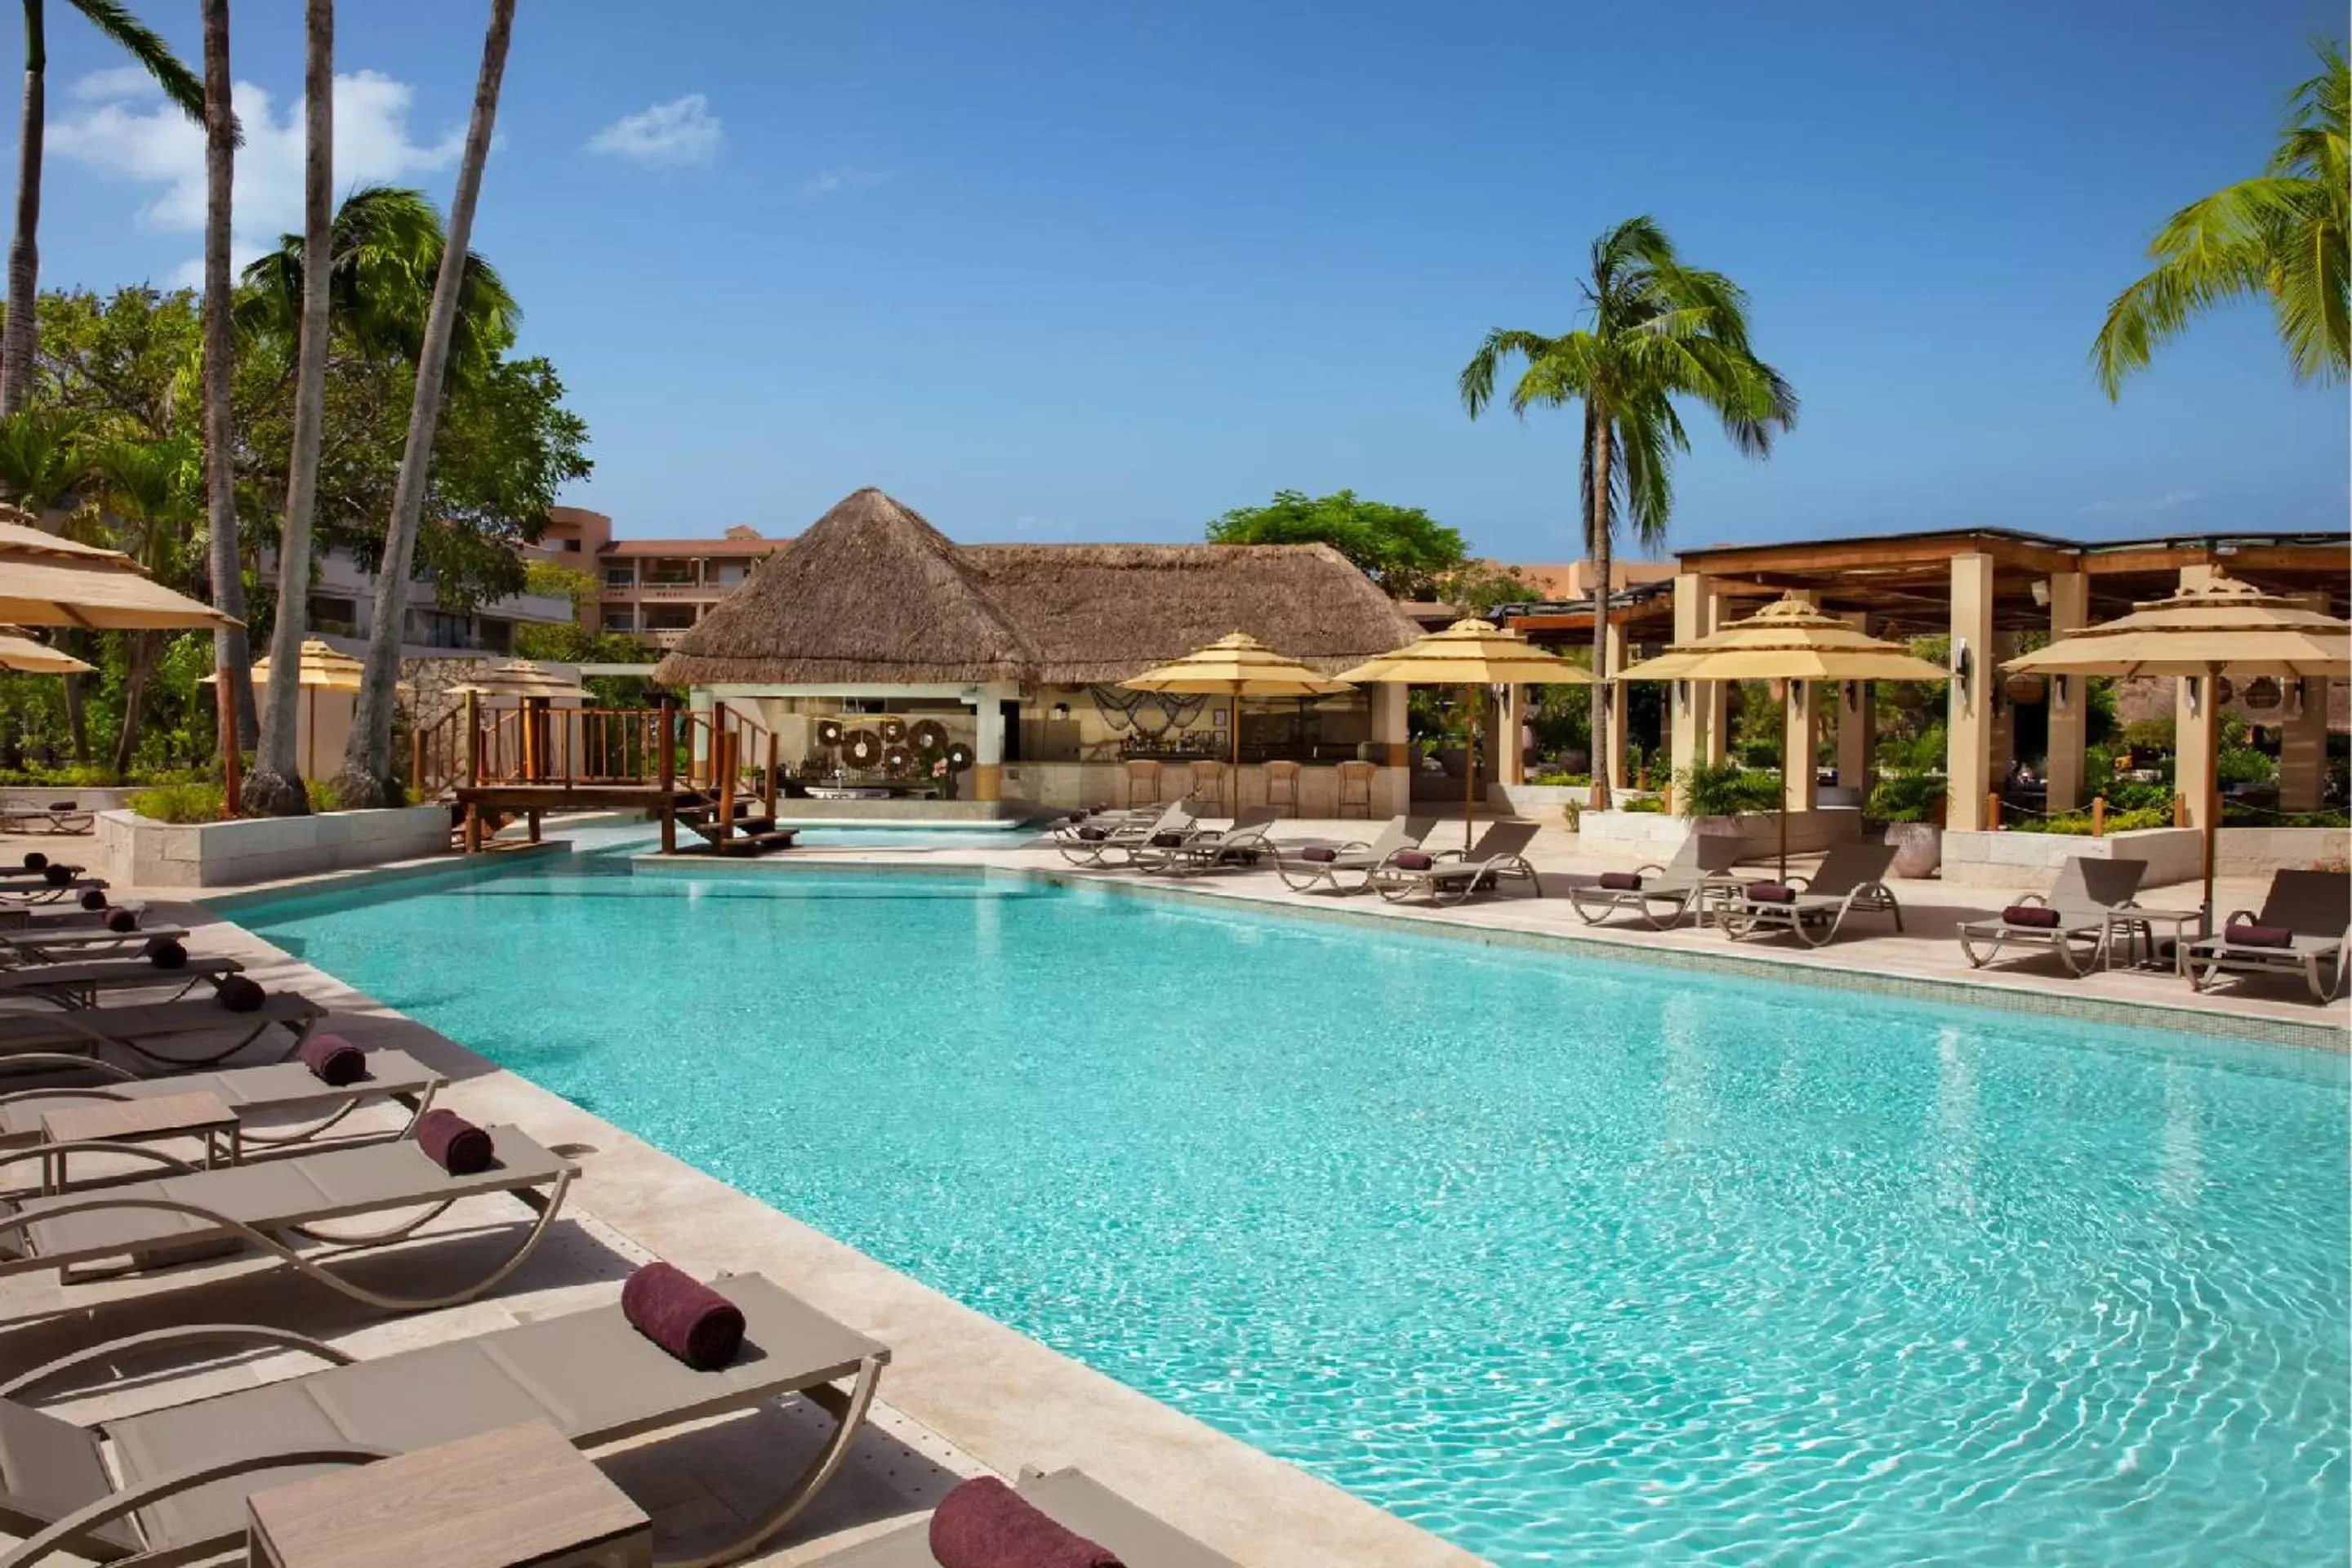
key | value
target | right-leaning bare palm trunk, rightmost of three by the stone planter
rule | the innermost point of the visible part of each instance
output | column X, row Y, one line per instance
column 368, row 760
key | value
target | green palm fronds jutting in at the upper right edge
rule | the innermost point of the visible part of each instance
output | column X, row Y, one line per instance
column 2278, row 236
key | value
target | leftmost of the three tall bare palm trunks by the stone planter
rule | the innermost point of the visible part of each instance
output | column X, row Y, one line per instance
column 232, row 652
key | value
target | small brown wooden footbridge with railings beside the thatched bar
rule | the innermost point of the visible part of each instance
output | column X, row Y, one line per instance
column 707, row 772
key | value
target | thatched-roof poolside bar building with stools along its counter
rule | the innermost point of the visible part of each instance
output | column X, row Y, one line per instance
column 874, row 624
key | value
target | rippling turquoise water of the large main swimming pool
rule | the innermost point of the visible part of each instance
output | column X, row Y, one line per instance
column 1568, row 1261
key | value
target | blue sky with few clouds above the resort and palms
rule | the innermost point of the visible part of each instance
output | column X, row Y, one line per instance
column 1104, row 272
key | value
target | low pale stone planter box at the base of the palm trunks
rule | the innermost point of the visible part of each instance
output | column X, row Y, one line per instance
column 147, row 855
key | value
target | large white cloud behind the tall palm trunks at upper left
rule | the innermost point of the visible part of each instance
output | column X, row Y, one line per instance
column 135, row 135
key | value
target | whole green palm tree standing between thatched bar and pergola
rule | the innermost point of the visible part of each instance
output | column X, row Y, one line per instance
column 1655, row 333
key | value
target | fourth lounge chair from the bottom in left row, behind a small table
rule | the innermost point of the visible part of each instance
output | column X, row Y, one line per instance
column 276, row 1092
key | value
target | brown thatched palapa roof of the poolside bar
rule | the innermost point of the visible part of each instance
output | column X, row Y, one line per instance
column 874, row 594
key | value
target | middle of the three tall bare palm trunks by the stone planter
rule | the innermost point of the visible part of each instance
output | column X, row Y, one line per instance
column 276, row 786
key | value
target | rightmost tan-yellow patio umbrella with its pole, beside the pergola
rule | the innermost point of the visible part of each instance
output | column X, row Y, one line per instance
column 2203, row 634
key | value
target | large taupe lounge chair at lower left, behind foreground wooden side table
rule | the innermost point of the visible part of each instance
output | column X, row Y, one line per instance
column 171, row 1485
